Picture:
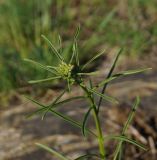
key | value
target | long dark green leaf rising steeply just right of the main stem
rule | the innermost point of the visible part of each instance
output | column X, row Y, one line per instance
column 108, row 77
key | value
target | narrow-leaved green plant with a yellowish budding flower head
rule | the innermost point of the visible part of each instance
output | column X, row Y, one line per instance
column 74, row 74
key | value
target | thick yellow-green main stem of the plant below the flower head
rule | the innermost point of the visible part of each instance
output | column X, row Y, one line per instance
column 97, row 122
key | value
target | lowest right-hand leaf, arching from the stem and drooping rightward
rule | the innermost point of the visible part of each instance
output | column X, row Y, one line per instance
column 125, row 139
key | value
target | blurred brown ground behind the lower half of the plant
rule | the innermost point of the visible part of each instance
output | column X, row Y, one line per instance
column 18, row 134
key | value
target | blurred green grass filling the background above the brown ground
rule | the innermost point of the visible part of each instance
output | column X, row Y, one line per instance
column 23, row 22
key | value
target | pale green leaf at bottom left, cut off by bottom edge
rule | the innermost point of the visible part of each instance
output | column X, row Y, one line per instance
column 53, row 152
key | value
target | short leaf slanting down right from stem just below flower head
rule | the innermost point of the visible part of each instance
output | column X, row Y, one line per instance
column 105, row 97
